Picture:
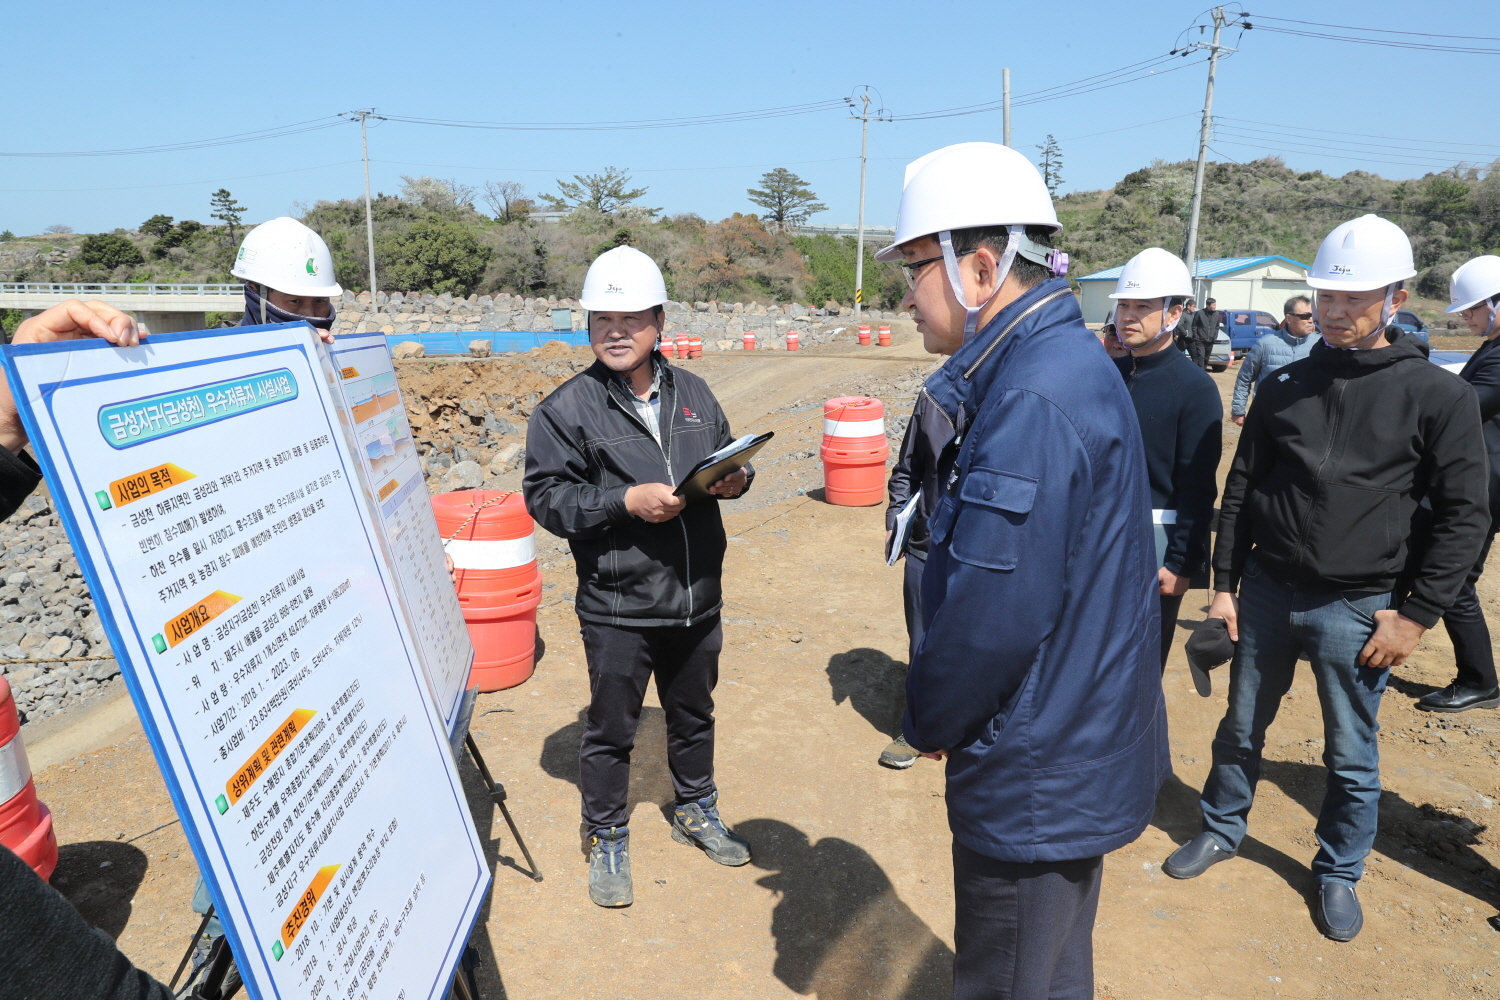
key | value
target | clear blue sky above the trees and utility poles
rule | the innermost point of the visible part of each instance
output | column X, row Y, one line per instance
column 106, row 76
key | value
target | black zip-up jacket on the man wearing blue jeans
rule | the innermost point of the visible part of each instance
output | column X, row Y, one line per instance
column 1360, row 472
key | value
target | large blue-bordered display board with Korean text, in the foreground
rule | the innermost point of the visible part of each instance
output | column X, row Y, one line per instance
column 215, row 503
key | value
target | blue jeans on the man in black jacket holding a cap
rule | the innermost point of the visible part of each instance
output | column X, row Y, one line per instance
column 1277, row 624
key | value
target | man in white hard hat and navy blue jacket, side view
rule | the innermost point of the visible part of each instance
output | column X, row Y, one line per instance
column 1037, row 674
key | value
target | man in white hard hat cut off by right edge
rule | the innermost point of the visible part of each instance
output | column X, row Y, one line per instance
column 1475, row 296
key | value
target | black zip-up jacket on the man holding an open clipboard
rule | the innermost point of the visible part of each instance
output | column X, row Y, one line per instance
column 586, row 448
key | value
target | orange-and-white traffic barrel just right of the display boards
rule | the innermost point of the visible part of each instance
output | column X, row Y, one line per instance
column 491, row 539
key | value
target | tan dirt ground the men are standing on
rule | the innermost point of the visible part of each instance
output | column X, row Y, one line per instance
column 850, row 891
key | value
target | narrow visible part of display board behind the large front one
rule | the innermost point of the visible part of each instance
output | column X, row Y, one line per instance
column 392, row 475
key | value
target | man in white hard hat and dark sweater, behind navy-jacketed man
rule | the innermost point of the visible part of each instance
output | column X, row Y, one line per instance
column 1181, row 425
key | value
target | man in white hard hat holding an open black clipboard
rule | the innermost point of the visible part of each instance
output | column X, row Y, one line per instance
column 604, row 457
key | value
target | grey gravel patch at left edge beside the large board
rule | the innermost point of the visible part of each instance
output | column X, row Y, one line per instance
column 49, row 627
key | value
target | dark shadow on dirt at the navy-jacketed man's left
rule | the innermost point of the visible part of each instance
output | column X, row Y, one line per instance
column 841, row 930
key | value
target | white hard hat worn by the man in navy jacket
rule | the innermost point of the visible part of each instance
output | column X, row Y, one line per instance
column 965, row 187
